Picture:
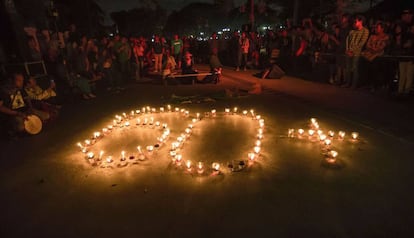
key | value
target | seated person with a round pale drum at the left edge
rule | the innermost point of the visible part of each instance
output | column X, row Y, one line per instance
column 16, row 105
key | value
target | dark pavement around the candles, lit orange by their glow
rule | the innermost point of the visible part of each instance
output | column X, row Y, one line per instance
column 48, row 190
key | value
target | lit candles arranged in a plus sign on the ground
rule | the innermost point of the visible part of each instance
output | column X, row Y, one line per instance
column 315, row 133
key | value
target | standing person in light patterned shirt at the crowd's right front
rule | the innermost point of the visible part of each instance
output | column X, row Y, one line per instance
column 355, row 41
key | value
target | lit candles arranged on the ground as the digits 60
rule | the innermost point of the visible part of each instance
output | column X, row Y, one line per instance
column 176, row 146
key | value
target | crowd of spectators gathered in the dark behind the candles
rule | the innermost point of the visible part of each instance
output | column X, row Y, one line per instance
column 350, row 51
